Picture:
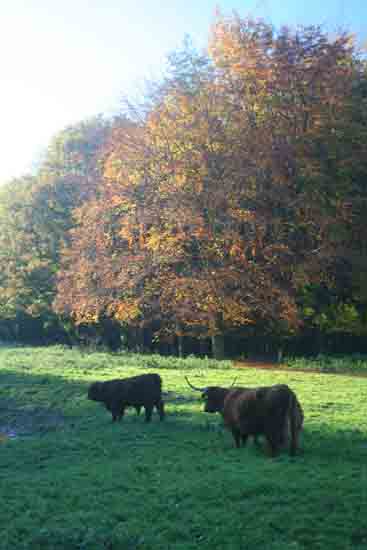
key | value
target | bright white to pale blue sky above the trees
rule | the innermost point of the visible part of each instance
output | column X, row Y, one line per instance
column 62, row 61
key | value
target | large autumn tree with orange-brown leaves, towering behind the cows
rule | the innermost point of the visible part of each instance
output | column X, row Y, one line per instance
column 228, row 192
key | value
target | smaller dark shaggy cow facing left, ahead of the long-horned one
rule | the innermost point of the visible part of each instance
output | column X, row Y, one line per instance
column 144, row 390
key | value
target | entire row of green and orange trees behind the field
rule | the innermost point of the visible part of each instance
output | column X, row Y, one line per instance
column 224, row 213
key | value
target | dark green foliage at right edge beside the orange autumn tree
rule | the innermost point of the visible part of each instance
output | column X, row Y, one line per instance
column 336, row 308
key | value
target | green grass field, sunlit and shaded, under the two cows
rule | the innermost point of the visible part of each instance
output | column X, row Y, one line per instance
column 71, row 479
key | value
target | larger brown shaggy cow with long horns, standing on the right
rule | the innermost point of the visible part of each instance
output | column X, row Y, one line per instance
column 272, row 411
